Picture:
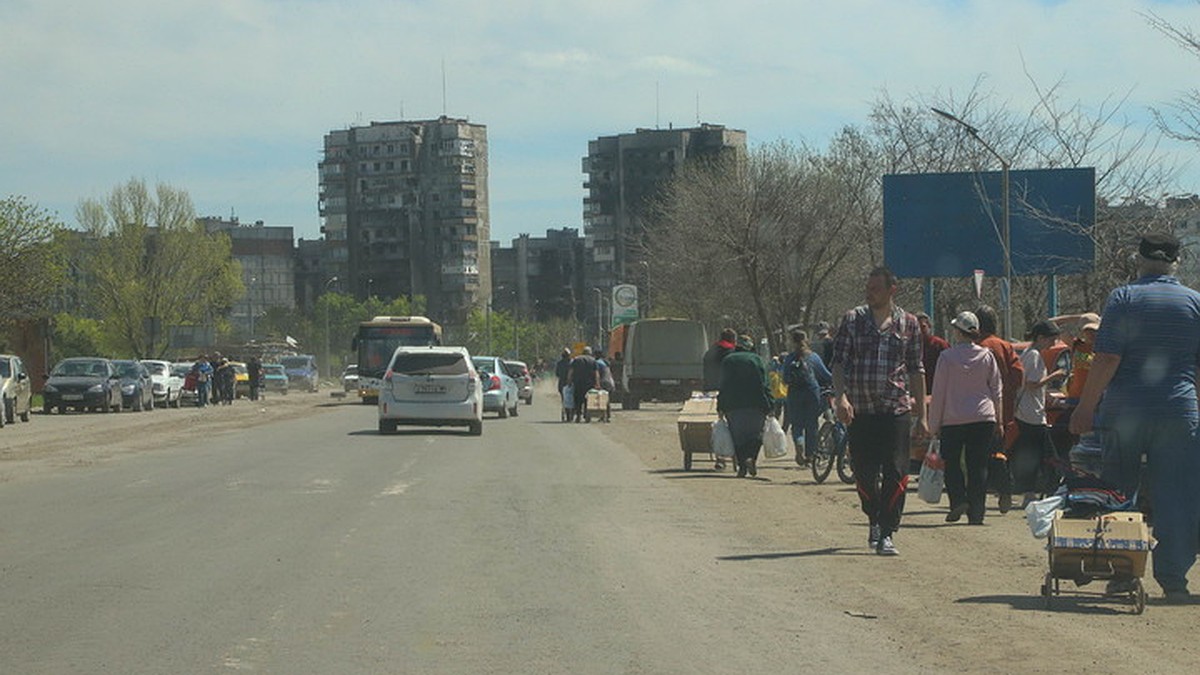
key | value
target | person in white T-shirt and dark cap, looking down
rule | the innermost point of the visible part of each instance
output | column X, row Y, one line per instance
column 1034, row 446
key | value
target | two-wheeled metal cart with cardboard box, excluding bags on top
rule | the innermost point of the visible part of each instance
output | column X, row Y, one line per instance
column 1112, row 547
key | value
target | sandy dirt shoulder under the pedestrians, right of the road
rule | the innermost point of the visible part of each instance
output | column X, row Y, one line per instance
column 958, row 599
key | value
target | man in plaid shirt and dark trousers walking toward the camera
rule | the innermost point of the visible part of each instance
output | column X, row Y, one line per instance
column 877, row 366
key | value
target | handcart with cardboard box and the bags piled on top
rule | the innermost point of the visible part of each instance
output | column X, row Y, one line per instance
column 1093, row 535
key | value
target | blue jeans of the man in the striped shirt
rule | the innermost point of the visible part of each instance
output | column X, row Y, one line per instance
column 1173, row 459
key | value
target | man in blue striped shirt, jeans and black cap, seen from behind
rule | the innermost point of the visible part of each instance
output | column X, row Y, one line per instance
column 1145, row 366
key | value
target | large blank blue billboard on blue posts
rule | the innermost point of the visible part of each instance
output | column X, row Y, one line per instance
column 952, row 224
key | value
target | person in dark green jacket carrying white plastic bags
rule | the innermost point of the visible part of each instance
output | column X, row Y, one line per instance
column 745, row 401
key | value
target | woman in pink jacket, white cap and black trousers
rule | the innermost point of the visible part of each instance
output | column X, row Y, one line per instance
column 963, row 414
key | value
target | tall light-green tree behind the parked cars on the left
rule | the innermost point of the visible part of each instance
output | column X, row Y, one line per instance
column 151, row 266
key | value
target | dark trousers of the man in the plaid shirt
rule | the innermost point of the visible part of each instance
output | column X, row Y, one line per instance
column 879, row 452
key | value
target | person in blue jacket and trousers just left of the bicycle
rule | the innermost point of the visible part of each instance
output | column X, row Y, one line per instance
column 806, row 377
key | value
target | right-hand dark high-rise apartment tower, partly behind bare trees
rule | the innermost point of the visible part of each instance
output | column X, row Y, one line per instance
column 625, row 174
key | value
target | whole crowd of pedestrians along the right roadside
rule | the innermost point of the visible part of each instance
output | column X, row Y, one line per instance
column 1005, row 421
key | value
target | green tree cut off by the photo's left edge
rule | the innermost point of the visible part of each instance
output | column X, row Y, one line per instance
column 32, row 262
